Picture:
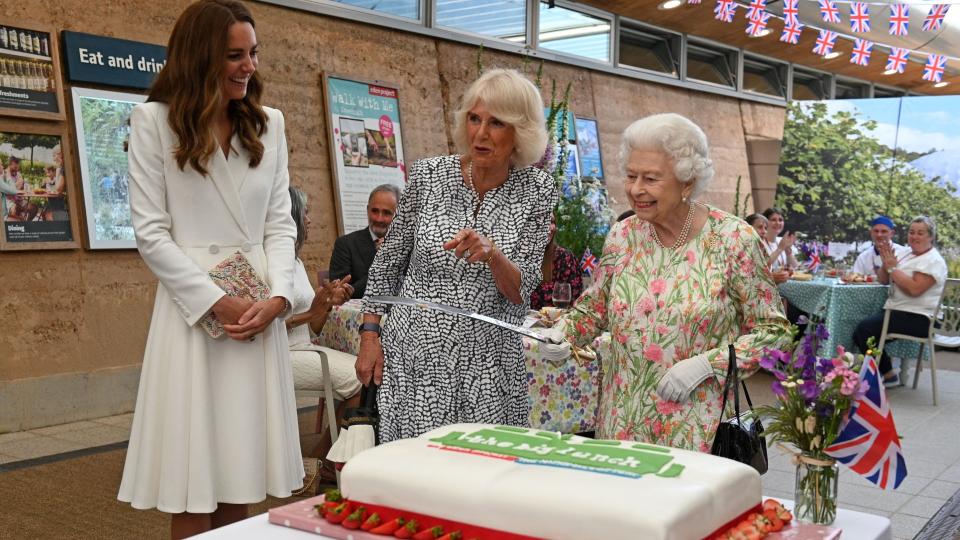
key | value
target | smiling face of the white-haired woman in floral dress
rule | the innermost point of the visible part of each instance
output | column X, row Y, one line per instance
column 655, row 193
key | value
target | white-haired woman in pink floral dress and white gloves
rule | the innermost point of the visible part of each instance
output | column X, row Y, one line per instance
column 676, row 284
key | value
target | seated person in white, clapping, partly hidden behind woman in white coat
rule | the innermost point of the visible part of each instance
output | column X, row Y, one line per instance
column 310, row 311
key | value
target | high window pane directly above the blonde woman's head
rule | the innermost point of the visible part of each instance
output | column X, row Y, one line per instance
column 504, row 19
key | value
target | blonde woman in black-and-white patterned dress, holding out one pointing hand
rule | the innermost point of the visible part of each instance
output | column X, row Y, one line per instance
column 470, row 231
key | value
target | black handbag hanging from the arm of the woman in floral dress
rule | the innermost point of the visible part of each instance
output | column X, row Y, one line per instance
column 740, row 438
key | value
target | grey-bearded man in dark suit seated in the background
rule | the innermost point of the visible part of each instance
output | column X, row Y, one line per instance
column 353, row 253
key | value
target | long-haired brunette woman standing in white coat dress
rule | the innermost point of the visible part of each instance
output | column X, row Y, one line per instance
column 215, row 426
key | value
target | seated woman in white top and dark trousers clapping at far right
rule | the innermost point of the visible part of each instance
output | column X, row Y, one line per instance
column 916, row 279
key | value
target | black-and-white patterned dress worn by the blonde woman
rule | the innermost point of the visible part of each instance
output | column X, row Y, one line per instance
column 439, row 368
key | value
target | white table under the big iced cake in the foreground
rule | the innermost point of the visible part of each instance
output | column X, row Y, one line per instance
column 855, row 525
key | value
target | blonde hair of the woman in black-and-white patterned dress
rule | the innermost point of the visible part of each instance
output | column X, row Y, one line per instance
column 514, row 100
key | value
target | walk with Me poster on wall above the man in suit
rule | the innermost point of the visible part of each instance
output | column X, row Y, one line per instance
column 366, row 146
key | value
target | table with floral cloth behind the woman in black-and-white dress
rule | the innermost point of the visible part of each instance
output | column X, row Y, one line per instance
column 563, row 397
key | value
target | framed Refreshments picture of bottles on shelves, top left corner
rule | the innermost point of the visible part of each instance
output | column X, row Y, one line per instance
column 30, row 73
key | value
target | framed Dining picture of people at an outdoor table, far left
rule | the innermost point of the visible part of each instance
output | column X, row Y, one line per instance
column 39, row 206
